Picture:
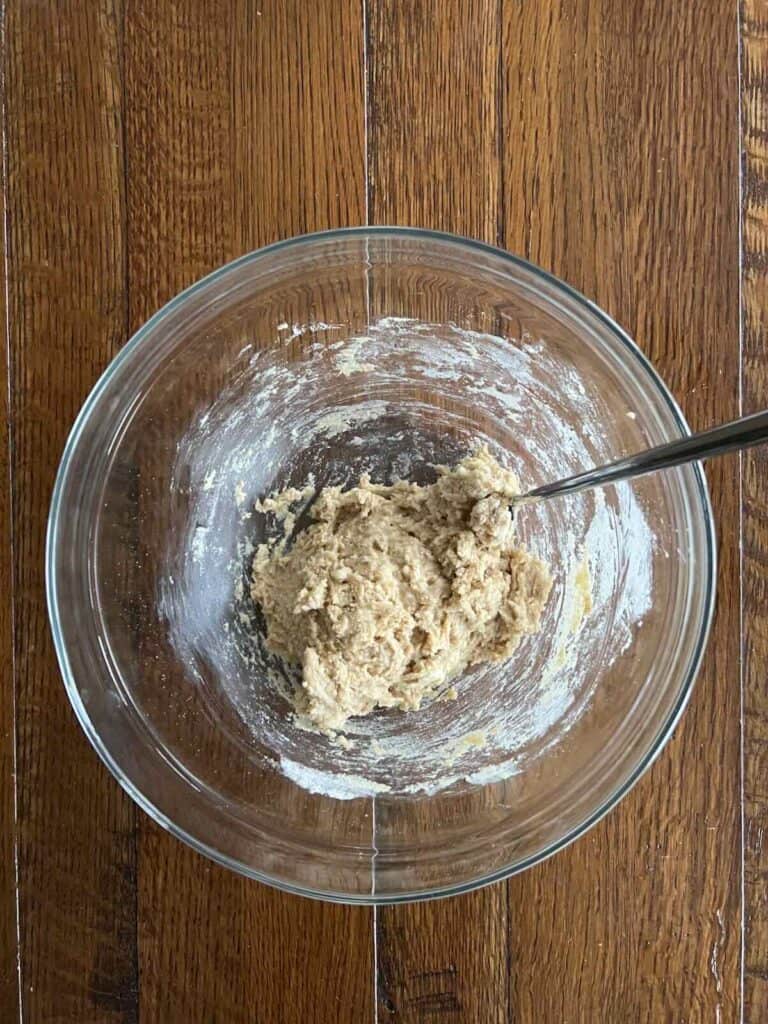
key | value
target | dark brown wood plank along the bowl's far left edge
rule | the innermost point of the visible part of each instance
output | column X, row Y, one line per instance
column 67, row 319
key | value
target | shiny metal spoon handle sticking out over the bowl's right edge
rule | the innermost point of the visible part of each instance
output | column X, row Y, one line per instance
column 729, row 438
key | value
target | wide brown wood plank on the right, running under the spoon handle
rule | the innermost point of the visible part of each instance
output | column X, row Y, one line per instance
column 622, row 177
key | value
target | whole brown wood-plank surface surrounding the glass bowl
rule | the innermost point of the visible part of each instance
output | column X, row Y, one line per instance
column 622, row 145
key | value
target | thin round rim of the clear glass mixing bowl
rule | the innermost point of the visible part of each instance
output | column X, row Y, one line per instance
column 665, row 732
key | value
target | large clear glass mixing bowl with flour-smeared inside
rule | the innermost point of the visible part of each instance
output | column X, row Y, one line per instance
column 387, row 352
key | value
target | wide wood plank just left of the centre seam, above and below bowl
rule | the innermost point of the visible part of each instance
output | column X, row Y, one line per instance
column 244, row 124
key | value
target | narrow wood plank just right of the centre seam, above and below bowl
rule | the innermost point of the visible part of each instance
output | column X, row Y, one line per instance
column 434, row 146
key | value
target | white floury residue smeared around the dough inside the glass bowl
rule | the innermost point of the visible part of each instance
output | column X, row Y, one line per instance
column 395, row 403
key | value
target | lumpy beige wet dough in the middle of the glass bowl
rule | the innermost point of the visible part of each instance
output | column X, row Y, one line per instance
column 395, row 590
